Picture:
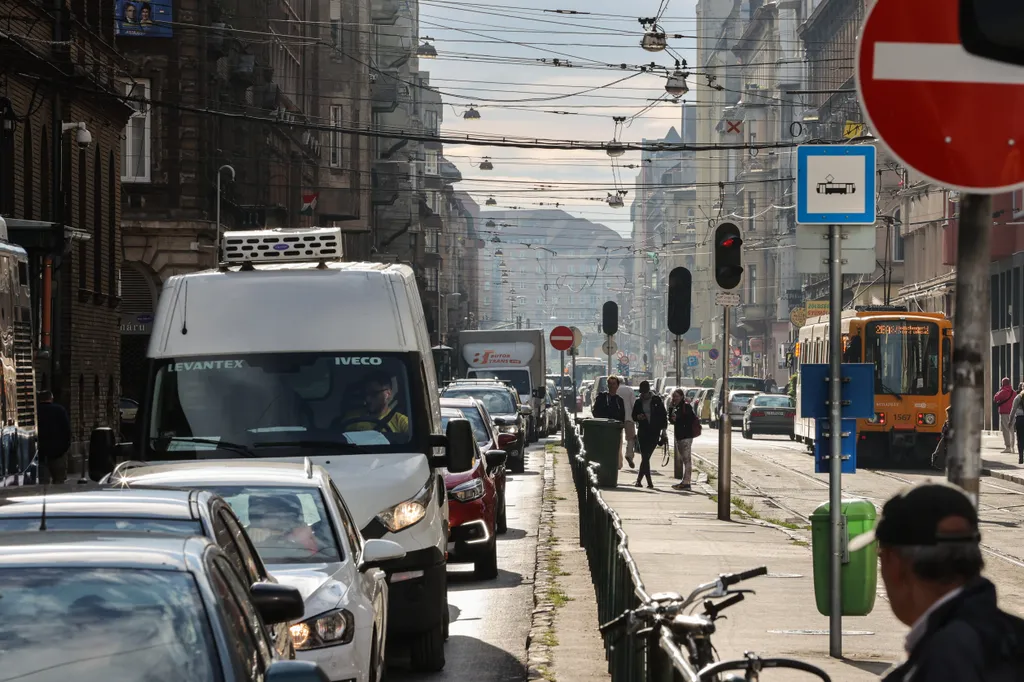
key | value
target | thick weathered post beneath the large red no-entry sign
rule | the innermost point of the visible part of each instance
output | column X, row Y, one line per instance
column 970, row 343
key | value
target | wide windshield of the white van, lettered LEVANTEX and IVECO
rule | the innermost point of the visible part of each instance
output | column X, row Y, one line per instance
column 255, row 405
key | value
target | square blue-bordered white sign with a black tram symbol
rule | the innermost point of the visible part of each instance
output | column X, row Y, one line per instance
column 836, row 185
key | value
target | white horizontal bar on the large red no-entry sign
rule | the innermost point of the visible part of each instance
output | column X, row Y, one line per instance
column 941, row 63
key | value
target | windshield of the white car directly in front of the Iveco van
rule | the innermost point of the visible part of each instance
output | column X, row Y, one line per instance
column 286, row 525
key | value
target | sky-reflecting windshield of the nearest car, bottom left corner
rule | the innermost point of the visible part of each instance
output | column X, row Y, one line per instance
column 98, row 625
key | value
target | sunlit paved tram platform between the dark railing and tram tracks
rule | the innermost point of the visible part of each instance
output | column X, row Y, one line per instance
column 678, row 543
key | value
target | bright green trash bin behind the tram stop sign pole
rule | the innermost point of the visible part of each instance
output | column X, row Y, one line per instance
column 861, row 574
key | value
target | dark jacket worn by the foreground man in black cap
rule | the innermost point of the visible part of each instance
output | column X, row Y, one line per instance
column 968, row 640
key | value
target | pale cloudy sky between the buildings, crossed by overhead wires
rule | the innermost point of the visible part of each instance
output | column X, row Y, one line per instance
column 491, row 51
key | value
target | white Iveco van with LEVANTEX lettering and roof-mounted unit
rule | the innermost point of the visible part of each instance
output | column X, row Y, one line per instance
column 287, row 353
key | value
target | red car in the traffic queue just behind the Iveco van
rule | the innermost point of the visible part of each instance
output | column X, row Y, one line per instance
column 477, row 498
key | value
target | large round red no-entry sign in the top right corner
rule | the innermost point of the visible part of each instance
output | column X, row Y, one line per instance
column 952, row 116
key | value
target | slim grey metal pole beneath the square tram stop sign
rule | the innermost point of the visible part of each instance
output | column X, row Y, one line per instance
column 836, row 445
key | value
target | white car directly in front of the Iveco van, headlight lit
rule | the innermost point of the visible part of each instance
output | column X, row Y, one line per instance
column 306, row 535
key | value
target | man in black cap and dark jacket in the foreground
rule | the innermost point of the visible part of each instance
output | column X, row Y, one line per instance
column 930, row 557
